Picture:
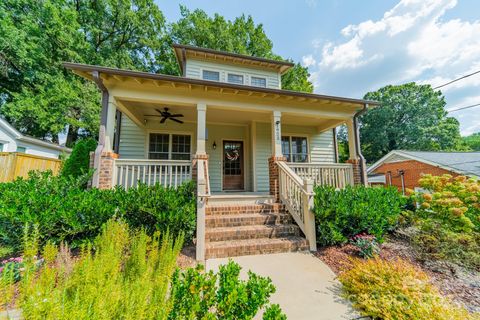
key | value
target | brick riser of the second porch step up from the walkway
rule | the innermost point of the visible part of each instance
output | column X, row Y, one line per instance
column 255, row 234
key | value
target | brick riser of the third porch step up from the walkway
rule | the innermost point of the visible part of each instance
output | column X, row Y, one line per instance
column 225, row 221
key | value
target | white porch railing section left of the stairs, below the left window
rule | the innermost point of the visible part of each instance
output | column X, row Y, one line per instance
column 169, row 173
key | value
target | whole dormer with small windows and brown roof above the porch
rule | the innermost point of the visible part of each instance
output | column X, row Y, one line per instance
column 213, row 65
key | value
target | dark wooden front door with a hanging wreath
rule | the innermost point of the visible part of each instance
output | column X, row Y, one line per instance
column 233, row 165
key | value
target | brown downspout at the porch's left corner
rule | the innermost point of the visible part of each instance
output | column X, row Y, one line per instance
column 103, row 125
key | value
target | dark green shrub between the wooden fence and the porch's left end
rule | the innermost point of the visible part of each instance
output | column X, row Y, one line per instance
column 78, row 163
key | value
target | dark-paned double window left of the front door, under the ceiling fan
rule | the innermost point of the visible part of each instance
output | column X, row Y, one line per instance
column 164, row 146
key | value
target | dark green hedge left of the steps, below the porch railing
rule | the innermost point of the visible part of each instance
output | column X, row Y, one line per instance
column 64, row 211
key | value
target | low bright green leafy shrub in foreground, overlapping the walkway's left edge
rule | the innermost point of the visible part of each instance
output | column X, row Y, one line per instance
column 199, row 295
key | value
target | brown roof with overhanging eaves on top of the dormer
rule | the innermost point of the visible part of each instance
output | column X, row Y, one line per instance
column 182, row 52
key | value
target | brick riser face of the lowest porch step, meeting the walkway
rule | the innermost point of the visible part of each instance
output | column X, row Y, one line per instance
column 254, row 250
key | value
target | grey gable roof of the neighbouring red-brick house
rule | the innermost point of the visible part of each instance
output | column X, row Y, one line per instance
column 467, row 163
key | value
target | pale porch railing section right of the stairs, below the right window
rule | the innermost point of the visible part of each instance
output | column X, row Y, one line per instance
column 338, row 175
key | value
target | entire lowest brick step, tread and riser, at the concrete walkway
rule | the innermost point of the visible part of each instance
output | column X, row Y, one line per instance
column 234, row 248
